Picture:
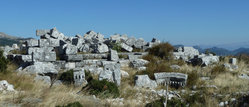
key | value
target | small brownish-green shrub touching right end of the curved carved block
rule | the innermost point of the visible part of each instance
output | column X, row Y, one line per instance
column 193, row 78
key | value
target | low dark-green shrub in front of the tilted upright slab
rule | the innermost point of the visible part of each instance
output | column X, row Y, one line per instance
column 102, row 88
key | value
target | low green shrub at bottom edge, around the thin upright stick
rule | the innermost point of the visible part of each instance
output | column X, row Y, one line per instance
column 170, row 103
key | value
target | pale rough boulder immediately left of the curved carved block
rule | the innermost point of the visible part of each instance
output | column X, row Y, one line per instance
column 144, row 81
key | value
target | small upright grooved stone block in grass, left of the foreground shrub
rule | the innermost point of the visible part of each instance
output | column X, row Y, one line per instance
column 79, row 77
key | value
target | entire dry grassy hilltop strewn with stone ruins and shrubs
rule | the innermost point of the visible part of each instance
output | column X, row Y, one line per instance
column 118, row 71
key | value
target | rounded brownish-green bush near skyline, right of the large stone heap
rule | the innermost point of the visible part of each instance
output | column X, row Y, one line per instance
column 162, row 50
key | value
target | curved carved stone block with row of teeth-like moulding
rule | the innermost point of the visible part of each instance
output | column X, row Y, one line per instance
column 172, row 78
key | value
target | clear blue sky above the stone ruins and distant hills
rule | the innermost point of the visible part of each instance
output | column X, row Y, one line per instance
column 188, row 22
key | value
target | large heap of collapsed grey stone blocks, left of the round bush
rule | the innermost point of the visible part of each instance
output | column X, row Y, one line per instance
column 92, row 52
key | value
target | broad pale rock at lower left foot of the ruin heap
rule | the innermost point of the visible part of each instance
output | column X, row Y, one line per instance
column 41, row 68
